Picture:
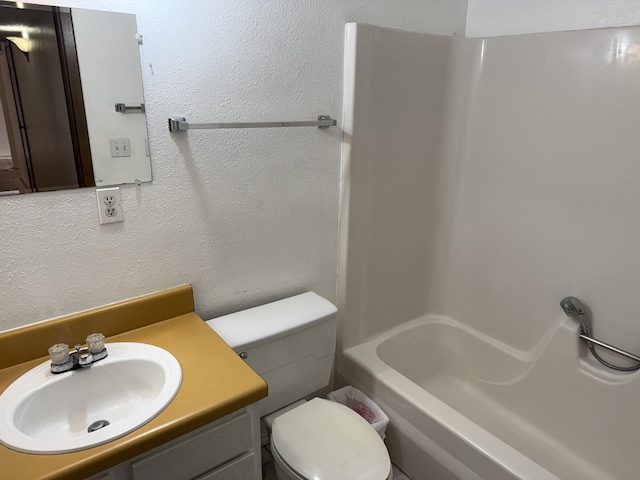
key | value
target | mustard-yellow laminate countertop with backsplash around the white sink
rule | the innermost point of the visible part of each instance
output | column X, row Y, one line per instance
column 215, row 381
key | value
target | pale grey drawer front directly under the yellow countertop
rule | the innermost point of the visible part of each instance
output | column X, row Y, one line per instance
column 200, row 453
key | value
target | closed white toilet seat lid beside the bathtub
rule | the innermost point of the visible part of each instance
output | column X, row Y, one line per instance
column 324, row 440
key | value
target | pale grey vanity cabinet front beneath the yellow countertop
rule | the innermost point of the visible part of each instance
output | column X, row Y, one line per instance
column 227, row 449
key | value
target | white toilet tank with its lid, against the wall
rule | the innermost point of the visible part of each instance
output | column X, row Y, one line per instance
column 289, row 343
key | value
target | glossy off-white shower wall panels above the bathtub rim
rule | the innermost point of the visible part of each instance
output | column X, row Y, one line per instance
column 514, row 189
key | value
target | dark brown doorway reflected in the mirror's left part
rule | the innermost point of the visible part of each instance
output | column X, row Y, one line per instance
column 44, row 142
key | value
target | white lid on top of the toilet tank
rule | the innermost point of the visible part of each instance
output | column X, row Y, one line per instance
column 256, row 325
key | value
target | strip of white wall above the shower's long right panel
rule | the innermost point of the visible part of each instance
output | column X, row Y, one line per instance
column 511, row 17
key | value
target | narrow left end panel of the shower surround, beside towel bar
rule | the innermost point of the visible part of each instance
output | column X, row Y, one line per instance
column 393, row 141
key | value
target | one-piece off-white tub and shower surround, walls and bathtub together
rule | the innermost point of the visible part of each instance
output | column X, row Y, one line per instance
column 484, row 180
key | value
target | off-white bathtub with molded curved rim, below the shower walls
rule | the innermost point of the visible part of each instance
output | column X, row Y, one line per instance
column 464, row 406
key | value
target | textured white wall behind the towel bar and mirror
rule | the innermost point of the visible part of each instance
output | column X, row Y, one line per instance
column 245, row 216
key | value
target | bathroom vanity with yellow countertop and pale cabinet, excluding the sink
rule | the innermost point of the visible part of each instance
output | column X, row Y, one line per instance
column 210, row 430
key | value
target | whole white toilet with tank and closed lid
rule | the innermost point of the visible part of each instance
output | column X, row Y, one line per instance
column 291, row 345
